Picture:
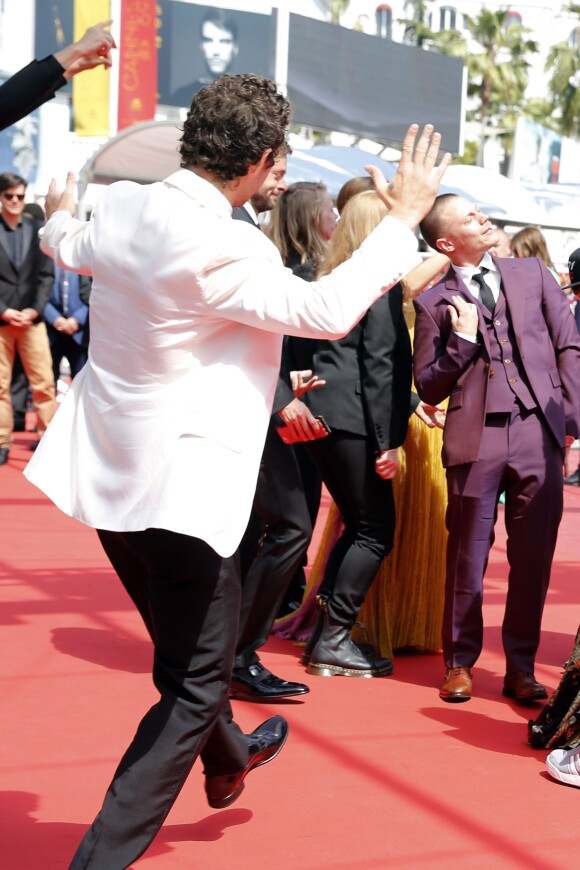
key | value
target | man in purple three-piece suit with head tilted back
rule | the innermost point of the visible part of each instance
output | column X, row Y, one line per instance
column 498, row 338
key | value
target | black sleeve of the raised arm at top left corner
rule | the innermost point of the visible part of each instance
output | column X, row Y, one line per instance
column 29, row 88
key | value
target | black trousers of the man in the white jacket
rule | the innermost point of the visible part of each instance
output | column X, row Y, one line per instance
column 188, row 597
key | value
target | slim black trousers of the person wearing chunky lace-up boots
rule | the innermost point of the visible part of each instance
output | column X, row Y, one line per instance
column 347, row 466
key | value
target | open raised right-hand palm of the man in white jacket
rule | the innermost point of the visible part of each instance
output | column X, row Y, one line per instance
column 412, row 191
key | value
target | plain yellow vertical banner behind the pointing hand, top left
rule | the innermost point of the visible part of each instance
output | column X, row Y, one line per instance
column 91, row 87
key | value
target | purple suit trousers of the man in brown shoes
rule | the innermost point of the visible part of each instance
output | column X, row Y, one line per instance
column 518, row 455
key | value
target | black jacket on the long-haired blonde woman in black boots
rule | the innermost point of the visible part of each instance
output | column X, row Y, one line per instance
column 367, row 374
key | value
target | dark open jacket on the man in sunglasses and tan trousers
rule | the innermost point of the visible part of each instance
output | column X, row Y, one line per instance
column 30, row 285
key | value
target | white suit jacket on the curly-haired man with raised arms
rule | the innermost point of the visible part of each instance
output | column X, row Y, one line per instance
column 165, row 425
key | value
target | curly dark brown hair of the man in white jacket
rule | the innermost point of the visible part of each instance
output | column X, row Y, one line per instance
column 231, row 123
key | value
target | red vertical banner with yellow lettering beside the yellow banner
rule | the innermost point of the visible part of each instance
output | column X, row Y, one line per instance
column 137, row 63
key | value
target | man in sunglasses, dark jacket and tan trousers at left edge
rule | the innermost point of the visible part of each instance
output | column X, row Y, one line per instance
column 26, row 279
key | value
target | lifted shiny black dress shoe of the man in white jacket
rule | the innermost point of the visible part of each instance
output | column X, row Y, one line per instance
column 264, row 744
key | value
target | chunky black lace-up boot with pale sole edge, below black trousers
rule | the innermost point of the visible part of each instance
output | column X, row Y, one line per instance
column 335, row 654
